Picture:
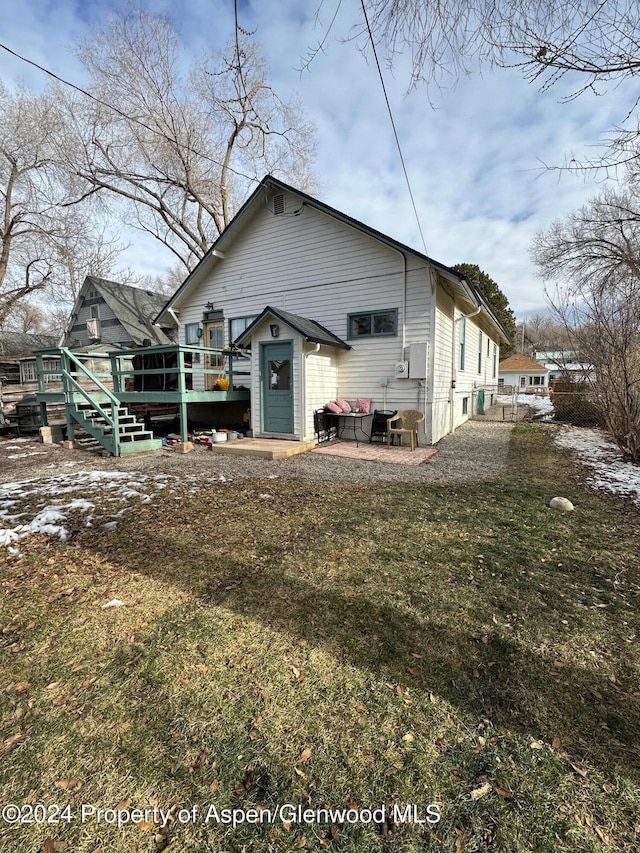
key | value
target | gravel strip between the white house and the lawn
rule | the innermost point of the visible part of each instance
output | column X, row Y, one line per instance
column 476, row 451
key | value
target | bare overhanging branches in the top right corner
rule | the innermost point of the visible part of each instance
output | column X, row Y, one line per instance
column 594, row 43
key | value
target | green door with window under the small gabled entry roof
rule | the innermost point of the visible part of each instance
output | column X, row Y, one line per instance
column 277, row 387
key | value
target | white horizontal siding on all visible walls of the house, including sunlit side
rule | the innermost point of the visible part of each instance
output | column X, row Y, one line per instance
column 313, row 264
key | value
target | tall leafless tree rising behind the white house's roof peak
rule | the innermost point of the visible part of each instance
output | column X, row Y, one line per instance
column 177, row 152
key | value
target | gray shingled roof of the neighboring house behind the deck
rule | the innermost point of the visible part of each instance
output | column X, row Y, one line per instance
column 134, row 307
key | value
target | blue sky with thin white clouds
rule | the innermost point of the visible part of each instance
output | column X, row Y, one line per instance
column 474, row 152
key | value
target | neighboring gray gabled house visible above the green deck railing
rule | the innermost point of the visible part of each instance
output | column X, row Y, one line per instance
column 114, row 314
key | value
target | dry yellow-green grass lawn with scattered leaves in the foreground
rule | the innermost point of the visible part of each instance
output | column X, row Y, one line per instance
column 349, row 648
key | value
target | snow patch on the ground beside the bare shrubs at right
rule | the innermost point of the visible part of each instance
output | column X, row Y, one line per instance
column 597, row 451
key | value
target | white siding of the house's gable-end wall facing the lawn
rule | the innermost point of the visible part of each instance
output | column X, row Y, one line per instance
column 317, row 267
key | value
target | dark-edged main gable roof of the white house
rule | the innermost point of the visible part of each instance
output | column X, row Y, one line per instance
column 455, row 278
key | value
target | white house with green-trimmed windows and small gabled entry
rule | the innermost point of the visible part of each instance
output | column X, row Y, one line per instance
column 328, row 308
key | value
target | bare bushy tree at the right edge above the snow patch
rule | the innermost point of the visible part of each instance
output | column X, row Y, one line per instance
column 594, row 259
